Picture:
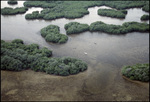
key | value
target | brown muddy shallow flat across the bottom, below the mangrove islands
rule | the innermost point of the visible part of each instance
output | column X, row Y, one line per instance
column 87, row 86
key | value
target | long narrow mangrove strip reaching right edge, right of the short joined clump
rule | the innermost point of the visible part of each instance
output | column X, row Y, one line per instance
column 119, row 29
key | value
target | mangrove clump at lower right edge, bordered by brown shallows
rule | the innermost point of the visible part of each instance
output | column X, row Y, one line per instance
column 137, row 72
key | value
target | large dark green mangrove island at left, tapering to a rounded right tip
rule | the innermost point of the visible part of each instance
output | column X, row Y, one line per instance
column 16, row 56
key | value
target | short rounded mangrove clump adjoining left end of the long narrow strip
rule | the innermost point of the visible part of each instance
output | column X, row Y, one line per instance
column 75, row 27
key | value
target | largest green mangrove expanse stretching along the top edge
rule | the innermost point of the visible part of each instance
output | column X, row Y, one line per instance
column 75, row 9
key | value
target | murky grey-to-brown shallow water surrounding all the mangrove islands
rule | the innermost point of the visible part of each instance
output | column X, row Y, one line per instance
column 106, row 54
